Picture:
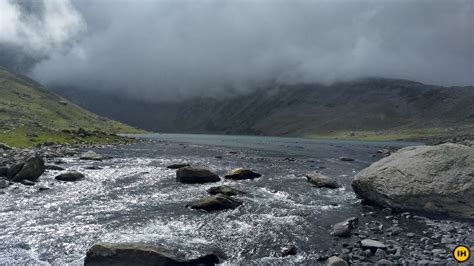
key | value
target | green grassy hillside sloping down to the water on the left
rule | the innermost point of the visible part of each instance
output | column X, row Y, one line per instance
column 31, row 114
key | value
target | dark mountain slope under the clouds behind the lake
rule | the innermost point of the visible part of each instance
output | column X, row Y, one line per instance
column 298, row 110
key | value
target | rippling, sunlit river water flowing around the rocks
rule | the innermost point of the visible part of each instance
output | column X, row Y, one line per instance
column 134, row 198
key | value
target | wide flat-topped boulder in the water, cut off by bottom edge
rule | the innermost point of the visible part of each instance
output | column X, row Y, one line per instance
column 141, row 254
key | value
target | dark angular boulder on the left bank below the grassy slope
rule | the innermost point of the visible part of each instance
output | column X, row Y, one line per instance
column 31, row 169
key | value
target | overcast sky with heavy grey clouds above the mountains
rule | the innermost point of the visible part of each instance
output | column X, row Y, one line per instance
column 170, row 49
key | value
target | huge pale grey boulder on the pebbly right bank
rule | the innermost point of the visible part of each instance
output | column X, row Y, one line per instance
column 432, row 179
